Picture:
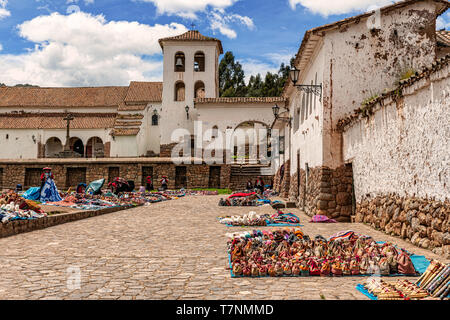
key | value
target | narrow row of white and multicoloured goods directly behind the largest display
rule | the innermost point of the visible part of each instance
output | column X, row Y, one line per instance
column 254, row 219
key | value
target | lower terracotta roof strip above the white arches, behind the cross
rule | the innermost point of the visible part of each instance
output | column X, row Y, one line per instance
column 55, row 120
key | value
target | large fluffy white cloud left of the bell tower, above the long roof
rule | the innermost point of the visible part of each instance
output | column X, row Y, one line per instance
column 85, row 50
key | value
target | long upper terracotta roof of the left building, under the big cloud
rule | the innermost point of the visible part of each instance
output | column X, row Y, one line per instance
column 61, row 97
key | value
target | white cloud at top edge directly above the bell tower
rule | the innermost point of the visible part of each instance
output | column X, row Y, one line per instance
column 186, row 8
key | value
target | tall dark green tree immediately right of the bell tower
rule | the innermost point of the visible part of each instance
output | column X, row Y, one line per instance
column 231, row 77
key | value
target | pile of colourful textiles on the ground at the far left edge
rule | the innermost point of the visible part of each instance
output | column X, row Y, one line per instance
column 13, row 207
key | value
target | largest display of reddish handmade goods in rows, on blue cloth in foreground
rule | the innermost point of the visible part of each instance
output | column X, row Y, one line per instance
column 288, row 252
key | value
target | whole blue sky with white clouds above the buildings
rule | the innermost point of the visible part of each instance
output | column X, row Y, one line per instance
column 111, row 42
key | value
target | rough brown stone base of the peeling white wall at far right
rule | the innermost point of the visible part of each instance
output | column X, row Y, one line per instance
column 424, row 222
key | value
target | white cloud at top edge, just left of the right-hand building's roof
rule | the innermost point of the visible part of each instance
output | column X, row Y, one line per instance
column 327, row 7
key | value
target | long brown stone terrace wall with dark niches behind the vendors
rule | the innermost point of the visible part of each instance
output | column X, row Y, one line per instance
column 197, row 176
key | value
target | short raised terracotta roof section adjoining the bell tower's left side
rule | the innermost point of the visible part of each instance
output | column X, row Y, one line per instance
column 144, row 92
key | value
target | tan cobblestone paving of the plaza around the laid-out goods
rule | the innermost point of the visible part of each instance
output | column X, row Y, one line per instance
column 168, row 250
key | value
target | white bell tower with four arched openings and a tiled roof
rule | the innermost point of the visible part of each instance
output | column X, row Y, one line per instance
column 191, row 70
